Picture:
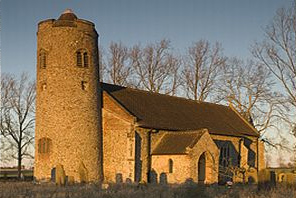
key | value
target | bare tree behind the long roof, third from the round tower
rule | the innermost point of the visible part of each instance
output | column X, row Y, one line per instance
column 202, row 66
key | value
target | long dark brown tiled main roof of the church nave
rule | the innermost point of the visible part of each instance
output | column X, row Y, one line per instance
column 165, row 112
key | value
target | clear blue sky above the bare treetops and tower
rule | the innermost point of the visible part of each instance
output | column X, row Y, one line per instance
column 236, row 24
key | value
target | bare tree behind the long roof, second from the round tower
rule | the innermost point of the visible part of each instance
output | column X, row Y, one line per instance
column 156, row 68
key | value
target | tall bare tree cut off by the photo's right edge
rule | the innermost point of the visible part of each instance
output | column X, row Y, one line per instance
column 278, row 51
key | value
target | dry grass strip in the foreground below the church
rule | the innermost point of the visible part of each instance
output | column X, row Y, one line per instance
column 30, row 190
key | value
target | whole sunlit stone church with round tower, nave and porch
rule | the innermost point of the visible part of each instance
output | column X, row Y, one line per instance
column 99, row 132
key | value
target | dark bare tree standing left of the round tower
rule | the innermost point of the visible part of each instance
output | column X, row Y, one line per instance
column 17, row 116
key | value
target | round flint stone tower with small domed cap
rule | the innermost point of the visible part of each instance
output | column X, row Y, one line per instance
column 68, row 134
